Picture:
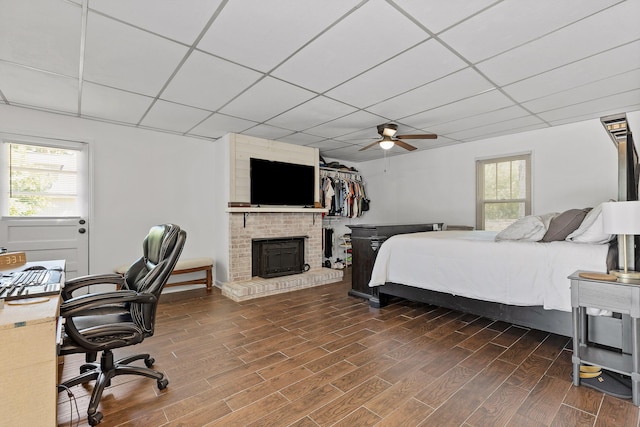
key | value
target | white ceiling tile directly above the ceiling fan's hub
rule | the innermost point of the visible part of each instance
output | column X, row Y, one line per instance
column 460, row 85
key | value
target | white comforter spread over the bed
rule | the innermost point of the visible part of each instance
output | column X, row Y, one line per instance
column 472, row 264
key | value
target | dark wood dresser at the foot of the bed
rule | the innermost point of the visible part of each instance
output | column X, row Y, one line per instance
column 365, row 240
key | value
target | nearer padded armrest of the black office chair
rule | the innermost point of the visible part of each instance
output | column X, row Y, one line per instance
column 89, row 304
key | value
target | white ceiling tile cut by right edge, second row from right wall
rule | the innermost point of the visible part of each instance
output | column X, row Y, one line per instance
column 587, row 92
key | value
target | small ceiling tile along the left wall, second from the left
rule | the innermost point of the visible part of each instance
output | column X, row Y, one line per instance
column 113, row 104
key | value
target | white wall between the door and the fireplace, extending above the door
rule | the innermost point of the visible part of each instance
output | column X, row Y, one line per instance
column 140, row 178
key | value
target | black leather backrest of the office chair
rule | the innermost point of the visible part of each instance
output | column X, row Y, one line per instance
column 149, row 274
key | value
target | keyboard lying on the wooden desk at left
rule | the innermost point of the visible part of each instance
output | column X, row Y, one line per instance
column 30, row 284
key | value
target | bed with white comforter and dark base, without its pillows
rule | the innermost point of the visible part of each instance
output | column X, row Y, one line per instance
column 521, row 282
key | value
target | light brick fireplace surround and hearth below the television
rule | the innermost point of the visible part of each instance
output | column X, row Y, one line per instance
column 244, row 227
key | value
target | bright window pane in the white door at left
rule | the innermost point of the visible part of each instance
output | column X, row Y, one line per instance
column 43, row 181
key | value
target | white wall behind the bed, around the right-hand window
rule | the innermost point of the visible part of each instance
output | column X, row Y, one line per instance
column 573, row 166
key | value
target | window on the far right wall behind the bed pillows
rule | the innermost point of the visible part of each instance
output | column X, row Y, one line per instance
column 503, row 192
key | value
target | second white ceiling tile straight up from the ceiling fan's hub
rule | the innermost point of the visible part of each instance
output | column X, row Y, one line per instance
column 406, row 71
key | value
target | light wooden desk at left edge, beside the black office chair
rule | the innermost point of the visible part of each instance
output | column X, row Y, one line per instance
column 28, row 359
